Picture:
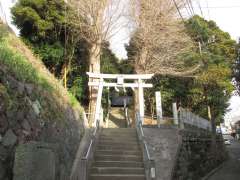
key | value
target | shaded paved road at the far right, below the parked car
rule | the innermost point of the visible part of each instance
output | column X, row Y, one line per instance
column 231, row 169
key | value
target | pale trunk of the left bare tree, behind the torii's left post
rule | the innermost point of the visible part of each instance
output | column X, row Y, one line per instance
column 94, row 66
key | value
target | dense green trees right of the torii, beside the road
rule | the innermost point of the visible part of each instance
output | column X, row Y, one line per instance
column 211, row 85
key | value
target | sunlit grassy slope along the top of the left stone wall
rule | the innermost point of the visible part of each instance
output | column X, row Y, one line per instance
column 25, row 67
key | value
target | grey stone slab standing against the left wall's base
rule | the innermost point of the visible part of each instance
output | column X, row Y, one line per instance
column 34, row 161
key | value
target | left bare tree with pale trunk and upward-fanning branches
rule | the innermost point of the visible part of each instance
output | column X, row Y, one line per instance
column 97, row 22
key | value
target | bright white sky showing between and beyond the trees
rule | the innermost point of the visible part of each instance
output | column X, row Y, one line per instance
column 224, row 12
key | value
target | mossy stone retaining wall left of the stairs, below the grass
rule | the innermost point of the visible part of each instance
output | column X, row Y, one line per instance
column 29, row 113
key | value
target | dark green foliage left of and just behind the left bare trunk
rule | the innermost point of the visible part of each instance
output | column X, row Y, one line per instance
column 52, row 35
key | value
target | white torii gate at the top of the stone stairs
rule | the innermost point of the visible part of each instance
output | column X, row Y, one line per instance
column 119, row 83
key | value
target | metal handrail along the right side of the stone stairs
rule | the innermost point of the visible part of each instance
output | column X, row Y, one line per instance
column 151, row 171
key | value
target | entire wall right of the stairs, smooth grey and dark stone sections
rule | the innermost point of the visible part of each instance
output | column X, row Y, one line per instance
column 183, row 154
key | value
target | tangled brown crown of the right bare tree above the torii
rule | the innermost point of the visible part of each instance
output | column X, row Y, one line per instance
column 159, row 37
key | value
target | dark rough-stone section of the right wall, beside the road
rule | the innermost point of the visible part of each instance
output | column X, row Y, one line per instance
column 196, row 157
